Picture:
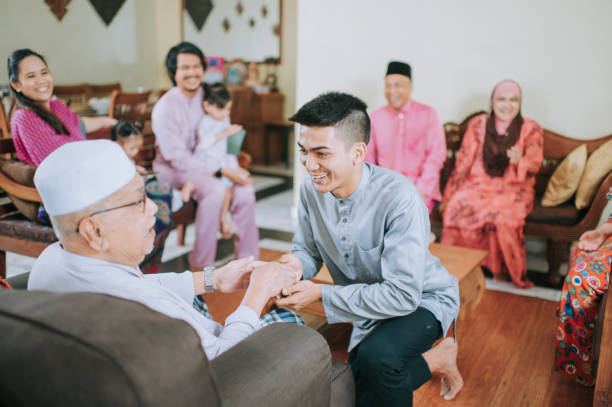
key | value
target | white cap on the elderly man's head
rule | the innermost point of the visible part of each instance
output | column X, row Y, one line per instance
column 81, row 173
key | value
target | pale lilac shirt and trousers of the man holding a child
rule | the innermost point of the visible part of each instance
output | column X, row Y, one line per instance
column 175, row 120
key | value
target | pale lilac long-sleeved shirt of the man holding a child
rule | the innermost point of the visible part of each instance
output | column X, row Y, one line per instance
column 175, row 121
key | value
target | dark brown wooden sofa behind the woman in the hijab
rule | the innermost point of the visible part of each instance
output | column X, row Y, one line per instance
column 559, row 225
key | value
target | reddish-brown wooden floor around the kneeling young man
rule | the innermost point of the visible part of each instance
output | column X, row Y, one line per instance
column 506, row 353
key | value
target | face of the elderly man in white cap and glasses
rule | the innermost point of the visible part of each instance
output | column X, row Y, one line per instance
column 129, row 229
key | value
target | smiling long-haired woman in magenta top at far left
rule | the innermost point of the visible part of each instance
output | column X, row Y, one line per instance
column 40, row 124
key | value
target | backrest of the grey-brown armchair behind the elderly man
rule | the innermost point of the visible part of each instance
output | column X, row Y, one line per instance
column 83, row 349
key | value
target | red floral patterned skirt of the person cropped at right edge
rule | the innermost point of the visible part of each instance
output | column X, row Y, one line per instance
column 587, row 281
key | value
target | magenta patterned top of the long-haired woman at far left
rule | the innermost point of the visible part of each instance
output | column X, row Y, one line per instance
column 35, row 139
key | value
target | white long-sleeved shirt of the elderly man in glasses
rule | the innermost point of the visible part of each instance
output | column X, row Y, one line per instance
column 171, row 294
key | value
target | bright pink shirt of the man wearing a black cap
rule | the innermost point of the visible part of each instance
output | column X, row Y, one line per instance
column 410, row 142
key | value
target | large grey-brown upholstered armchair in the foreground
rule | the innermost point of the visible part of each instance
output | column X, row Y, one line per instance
column 83, row 349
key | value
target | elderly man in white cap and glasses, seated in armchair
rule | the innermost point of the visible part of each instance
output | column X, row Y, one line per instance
column 104, row 222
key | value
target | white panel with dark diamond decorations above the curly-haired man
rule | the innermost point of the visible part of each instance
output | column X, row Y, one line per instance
column 241, row 40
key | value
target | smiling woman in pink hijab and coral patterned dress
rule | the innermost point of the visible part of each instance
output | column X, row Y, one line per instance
column 491, row 189
